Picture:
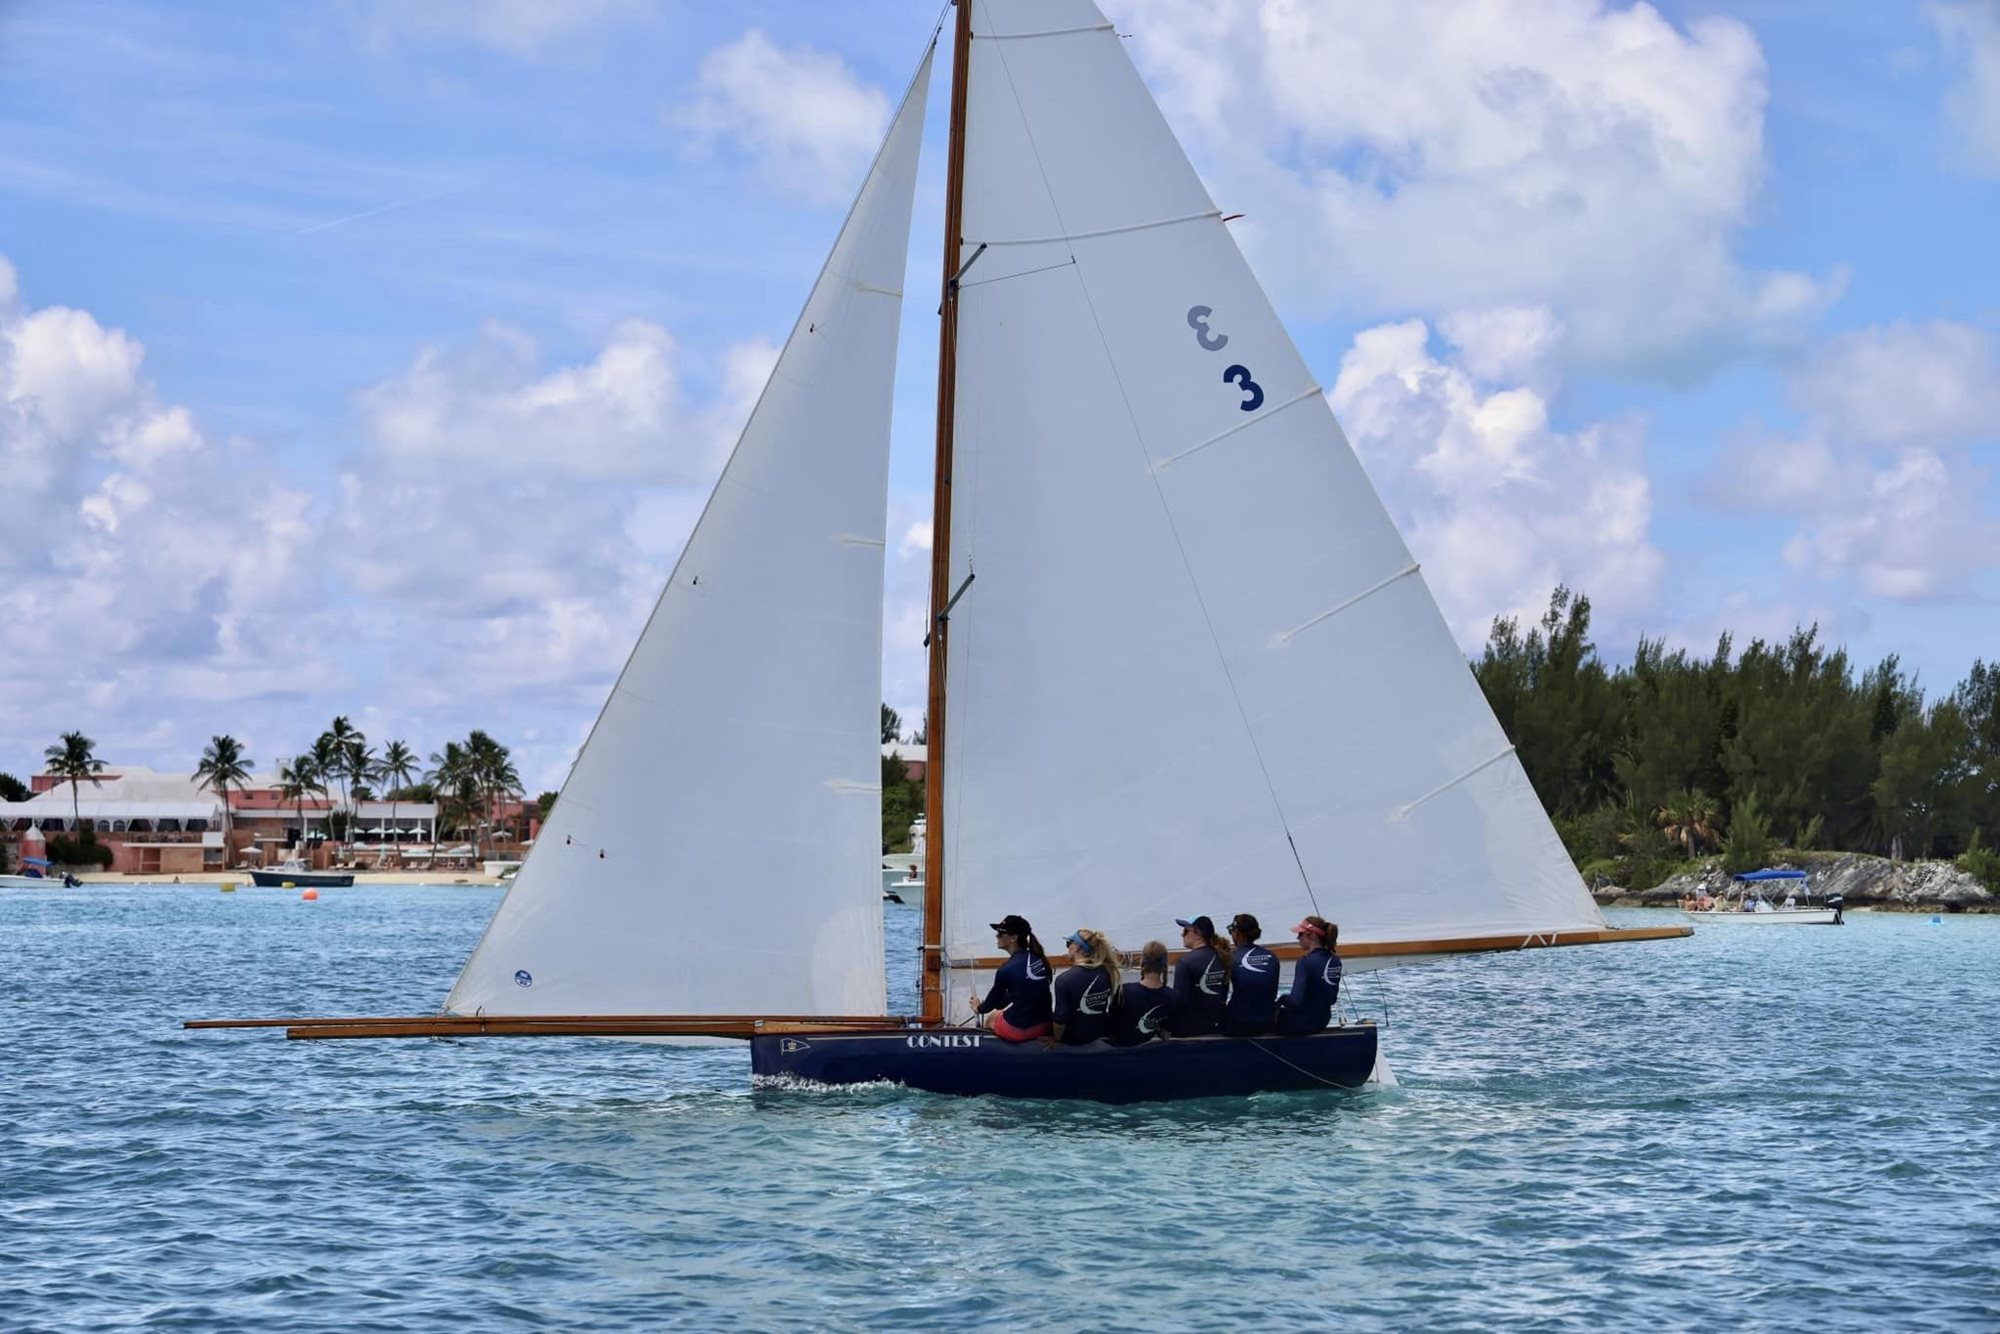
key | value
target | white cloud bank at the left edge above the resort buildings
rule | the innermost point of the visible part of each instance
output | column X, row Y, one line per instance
column 155, row 563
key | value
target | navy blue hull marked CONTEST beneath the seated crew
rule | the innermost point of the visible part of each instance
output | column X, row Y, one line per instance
column 979, row 1063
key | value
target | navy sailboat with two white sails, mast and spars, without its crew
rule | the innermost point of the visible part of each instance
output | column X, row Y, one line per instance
column 1149, row 531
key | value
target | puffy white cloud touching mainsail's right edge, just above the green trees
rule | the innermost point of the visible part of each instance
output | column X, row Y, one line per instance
column 1493, row 501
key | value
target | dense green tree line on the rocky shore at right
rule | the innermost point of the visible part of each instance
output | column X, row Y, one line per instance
column 1673, row 755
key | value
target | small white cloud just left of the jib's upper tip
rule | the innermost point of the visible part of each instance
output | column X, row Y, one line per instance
column 797, row 115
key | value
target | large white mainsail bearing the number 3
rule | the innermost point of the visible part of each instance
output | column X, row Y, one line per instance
column 1195, row 641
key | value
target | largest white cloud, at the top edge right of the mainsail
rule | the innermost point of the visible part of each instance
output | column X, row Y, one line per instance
column 1469, row 155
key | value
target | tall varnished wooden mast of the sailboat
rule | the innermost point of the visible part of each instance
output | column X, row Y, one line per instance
column 931, row 983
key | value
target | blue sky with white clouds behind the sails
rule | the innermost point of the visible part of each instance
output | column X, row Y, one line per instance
column 375, row 359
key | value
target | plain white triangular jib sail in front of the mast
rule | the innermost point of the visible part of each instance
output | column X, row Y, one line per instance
column 715, row 847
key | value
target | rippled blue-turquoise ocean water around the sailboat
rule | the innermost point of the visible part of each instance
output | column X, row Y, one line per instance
column 1753, row 1129
